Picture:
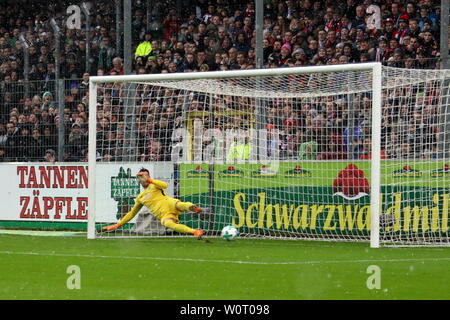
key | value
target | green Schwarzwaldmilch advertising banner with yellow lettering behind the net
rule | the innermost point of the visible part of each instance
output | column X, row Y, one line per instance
column 326, row 198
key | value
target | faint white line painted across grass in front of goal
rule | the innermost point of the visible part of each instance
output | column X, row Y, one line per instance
column 224, row 261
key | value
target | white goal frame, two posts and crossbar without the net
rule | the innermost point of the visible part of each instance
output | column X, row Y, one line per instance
column 374, row 67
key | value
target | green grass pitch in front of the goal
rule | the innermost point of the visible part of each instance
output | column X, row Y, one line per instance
column 35, row 267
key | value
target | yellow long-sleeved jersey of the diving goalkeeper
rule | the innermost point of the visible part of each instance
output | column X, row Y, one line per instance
column 155, row 199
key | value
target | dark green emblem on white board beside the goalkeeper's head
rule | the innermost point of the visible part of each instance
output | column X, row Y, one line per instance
column 124, row 189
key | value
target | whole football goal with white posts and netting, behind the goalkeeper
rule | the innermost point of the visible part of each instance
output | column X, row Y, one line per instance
column 278, row 153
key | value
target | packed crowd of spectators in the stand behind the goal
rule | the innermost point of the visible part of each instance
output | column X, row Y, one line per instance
column 209, row 36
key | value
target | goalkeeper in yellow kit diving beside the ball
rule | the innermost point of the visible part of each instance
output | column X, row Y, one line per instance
column 163, row 207
